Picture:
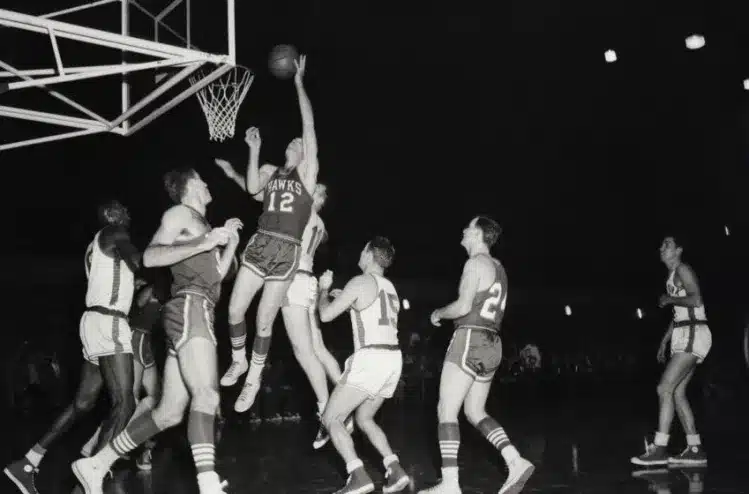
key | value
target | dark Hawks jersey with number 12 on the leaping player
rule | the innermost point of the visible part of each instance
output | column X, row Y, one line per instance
column 287, row 206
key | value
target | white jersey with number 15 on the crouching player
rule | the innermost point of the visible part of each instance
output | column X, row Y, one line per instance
column 378, row 323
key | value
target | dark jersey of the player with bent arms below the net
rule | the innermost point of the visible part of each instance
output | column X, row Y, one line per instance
column 199, row 273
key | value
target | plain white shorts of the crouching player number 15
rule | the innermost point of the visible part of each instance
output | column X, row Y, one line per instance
column 376, row 371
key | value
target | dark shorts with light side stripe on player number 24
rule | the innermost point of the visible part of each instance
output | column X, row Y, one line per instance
column 477, row 352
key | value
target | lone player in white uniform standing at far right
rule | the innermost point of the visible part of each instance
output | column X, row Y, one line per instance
column 690, row 343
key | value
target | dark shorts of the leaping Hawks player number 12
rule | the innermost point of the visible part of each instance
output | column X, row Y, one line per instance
column 271, row 257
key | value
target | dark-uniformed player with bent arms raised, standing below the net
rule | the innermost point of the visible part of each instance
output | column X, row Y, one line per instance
column 186, row 243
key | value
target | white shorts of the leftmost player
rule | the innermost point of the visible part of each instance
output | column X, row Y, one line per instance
column 103, row 335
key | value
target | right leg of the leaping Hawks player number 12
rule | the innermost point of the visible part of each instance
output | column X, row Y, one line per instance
column 270, row 303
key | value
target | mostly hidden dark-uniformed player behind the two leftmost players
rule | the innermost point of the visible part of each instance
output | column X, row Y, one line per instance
column 143, row 317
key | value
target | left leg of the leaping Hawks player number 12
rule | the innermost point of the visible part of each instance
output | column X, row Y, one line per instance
column 246, row 285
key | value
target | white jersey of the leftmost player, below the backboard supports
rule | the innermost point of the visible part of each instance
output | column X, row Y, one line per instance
column 111, row 283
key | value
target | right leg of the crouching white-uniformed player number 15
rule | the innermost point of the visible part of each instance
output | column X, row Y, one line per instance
column 397, row 478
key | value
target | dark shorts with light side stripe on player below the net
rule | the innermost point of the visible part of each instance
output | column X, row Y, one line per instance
column 185, row 317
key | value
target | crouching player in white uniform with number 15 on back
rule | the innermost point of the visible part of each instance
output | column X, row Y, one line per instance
column 373, row 371
